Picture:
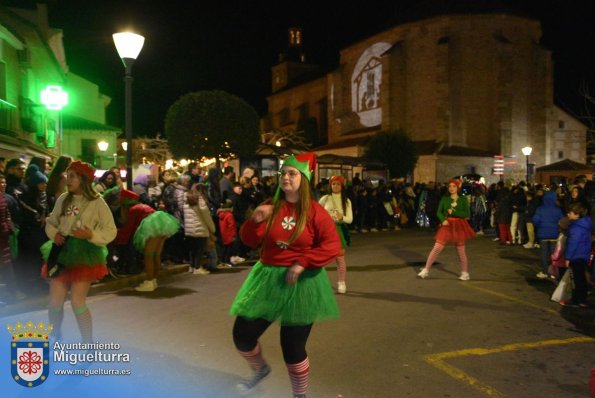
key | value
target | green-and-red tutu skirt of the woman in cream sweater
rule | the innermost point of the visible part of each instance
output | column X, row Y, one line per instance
column 83, row 260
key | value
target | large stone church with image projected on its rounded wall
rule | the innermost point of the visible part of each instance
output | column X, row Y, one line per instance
column 464, row 87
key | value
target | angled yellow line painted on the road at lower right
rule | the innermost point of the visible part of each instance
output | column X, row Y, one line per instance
column 438, row 360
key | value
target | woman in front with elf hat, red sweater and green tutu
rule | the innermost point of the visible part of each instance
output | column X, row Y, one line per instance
column 297, row 238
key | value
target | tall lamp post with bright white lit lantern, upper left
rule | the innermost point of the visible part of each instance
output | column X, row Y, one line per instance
column 128, row 45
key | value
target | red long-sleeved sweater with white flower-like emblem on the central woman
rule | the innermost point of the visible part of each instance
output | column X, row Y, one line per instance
column 316, row 247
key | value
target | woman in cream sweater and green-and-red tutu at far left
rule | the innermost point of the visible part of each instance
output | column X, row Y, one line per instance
column 79, row 228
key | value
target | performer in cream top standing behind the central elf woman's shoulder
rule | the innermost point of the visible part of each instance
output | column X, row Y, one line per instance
column 339, row 207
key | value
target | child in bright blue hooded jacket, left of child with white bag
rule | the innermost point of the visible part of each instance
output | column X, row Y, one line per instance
column 546, row 219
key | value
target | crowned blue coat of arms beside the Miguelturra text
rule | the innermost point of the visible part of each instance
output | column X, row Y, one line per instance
column 30, row 353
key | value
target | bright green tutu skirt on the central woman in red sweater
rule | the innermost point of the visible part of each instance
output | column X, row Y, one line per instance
column 266, row 295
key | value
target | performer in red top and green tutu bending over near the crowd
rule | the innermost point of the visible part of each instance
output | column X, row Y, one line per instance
column 148, row 230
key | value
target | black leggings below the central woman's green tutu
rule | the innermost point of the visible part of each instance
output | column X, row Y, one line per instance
column 293, row 338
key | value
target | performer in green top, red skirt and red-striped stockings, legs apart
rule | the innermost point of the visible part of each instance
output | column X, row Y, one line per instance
column 453, row 212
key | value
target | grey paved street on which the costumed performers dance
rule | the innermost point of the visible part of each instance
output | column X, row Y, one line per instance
column 497, row 335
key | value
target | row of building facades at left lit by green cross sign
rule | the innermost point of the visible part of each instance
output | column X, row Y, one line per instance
column 32, row 57
